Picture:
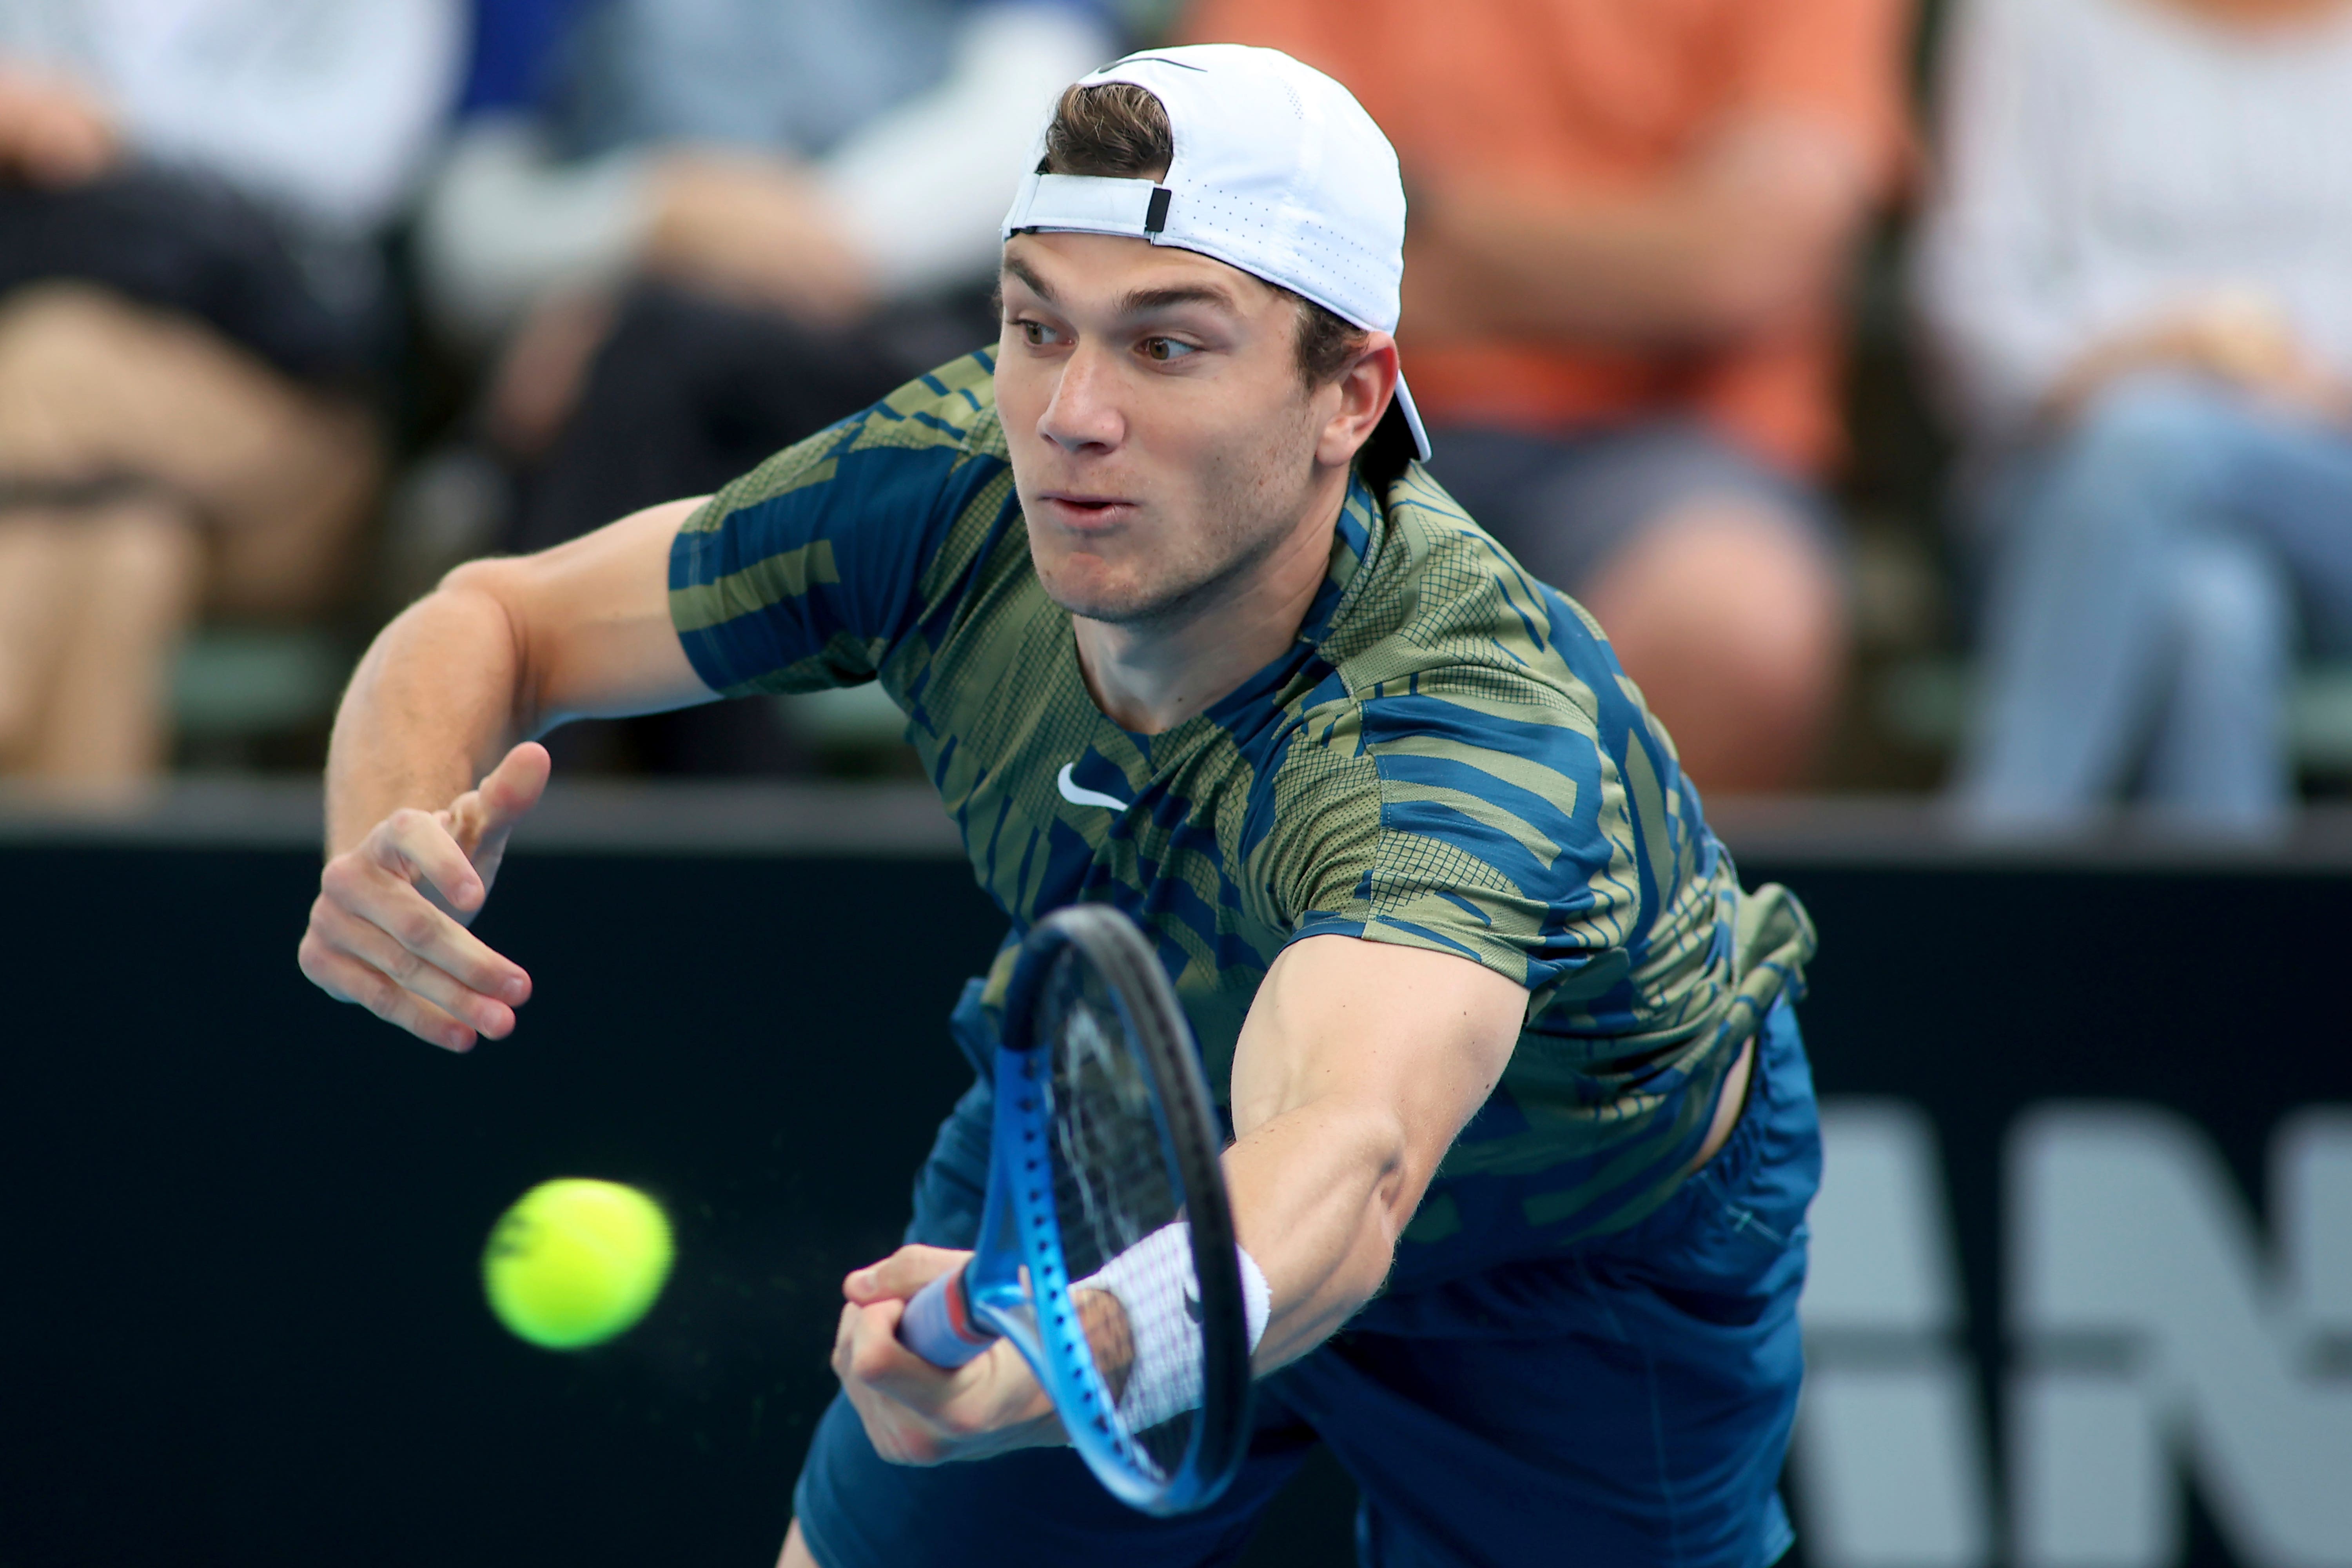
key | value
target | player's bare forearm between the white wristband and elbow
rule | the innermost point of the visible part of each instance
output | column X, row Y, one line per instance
column 1321, row 1195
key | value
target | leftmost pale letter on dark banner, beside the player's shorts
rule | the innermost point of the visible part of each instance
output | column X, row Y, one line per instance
column 1890, row 1452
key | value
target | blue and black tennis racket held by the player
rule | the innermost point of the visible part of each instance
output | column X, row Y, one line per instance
column 1107, row 1165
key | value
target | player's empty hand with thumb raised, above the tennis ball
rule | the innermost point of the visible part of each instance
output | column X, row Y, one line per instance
column 389, row 923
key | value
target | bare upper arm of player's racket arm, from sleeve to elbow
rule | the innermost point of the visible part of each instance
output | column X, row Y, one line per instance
column 1396, row 1031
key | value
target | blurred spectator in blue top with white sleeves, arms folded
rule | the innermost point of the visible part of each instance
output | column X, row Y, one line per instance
column 723, row 227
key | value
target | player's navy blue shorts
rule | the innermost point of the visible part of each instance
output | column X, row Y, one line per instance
column 1626, row 1402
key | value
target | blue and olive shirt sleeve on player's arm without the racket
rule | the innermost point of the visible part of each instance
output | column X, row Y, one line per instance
column 813, row 568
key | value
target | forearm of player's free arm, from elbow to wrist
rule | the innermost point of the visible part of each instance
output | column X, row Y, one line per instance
column 429, row 711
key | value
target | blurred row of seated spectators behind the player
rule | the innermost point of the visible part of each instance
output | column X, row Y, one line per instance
column 307, row 300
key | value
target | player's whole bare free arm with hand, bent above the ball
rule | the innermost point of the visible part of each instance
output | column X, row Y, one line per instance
column 450, row 692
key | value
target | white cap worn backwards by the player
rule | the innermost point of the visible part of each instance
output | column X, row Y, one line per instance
column 1278, row 173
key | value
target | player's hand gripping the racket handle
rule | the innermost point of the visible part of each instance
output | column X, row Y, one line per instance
column 914, row 1412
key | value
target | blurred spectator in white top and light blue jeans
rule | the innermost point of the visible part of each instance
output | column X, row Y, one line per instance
column 2141, row 283
